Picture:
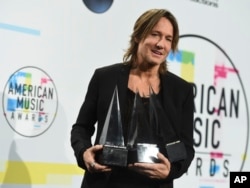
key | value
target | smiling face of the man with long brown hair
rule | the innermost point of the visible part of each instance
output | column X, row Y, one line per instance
column 155, row 47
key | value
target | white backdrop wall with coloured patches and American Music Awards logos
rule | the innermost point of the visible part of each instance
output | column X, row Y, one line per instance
column 61, row 42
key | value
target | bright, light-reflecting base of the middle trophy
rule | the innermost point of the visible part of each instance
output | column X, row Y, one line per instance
column 143, row 153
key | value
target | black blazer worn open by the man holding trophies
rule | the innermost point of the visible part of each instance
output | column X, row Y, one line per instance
column 178, row 103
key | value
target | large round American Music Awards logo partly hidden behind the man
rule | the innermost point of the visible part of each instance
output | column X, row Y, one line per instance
column 221, row 117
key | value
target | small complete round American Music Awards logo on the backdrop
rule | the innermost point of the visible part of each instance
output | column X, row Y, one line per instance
column 30, row 101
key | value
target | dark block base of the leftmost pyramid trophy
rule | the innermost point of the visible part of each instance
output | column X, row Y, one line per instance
column 113, row 156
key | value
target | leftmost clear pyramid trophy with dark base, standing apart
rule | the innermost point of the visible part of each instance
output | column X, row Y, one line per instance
column 114, row 151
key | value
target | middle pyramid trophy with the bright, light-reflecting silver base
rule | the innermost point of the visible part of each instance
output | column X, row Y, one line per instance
column 141, row 145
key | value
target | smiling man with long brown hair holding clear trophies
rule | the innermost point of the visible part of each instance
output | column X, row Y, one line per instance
column 144, row 70
